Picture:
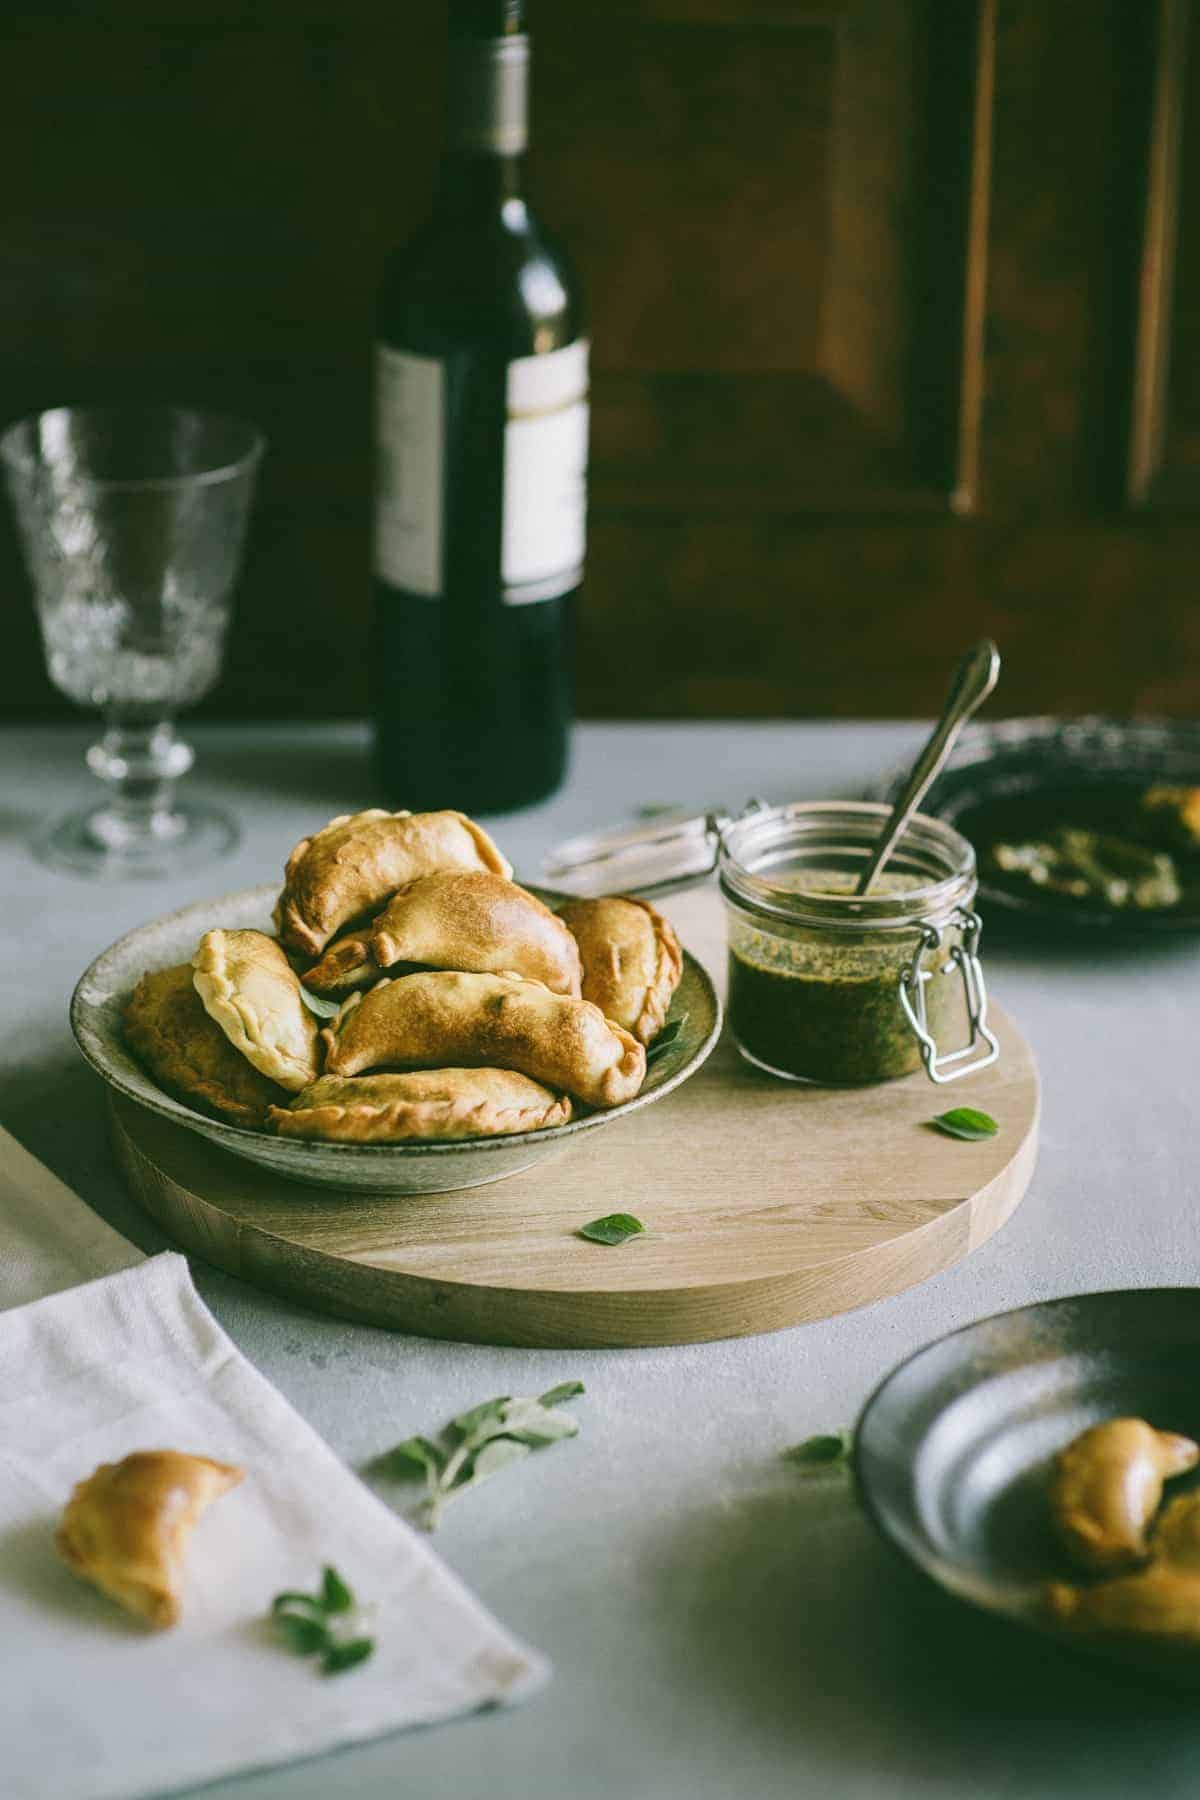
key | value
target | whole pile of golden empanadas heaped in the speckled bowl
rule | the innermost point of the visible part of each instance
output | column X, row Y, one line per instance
column 469, row 1009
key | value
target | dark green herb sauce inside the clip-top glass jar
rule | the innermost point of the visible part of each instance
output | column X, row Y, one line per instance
column 827, row 1007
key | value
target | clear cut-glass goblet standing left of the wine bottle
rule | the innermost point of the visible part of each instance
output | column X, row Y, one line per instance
column 132, row 523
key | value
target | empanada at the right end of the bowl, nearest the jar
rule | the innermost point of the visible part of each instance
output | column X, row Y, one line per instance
column 632, row 960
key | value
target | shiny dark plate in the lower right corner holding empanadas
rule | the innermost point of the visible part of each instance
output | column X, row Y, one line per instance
column 954, row 1450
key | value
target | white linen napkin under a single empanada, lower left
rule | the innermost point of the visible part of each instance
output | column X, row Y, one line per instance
column 94, row 1705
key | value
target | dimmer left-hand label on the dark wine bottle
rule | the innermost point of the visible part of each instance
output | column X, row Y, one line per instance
column 409, row 471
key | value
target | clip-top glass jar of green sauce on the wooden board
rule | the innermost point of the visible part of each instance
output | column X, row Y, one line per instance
column 834, row 989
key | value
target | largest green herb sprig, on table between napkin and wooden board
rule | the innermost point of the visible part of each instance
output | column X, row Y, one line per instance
column 483, row 1441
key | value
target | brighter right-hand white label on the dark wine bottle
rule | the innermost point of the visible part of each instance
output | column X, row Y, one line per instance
column 546, row 460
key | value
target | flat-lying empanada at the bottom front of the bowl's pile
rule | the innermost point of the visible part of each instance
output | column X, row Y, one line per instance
column 424, row 1104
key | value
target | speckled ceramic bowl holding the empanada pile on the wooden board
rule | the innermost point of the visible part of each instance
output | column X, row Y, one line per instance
column 107, row 985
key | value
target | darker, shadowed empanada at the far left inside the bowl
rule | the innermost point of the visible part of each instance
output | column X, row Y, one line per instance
column 175, row 1041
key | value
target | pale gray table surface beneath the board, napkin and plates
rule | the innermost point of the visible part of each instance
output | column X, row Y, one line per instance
column 717, row 1624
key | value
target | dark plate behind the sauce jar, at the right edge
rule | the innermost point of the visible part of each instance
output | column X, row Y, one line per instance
column 1021, row 777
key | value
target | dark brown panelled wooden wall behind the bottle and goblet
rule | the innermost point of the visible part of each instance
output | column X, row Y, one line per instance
column 897, row 334
